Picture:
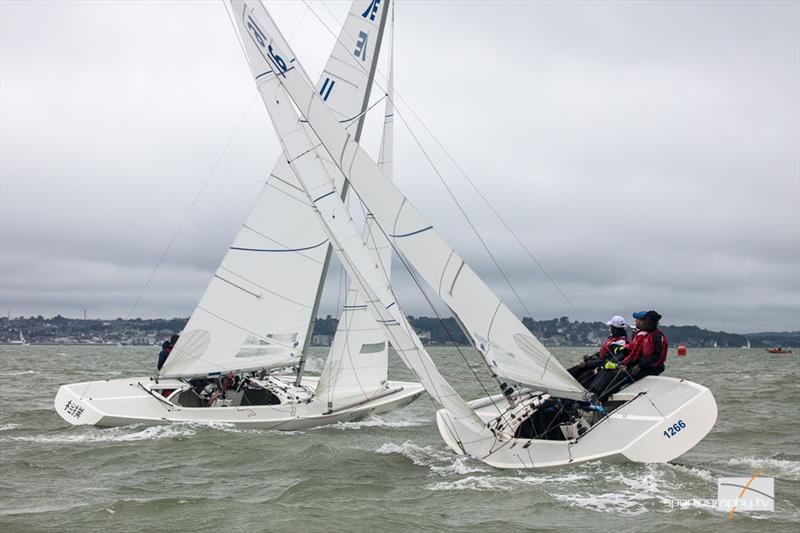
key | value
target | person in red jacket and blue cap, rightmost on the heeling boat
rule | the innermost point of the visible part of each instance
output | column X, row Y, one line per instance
column 646, row 355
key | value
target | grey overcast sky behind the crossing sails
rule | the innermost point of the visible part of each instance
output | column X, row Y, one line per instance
column 646, row 152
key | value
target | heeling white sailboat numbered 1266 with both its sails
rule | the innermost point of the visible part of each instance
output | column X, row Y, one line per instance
column 654, row 420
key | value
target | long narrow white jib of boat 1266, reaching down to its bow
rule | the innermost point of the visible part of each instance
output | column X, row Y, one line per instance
column 336, row 220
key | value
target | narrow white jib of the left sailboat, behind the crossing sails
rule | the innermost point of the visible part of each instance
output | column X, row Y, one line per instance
column 358, row 364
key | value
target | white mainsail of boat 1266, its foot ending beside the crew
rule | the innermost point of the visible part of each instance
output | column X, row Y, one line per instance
column 509, row 349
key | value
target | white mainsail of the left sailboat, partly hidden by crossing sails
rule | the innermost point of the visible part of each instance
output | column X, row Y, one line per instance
column 258, row 309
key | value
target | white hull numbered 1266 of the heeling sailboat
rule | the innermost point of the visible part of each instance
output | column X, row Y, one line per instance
column 637, row 431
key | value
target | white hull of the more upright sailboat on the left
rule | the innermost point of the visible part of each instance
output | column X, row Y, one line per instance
column 122, row 402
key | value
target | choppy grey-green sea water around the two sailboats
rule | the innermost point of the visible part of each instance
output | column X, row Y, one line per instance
column 389, row 472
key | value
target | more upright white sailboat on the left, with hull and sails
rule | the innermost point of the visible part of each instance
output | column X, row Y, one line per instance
column 258, row 311
